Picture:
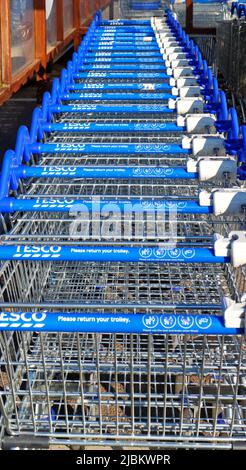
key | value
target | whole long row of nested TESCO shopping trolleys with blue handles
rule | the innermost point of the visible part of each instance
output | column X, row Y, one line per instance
column 123, row 252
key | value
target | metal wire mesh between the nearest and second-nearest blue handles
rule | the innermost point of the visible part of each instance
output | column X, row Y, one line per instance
column 135, row 285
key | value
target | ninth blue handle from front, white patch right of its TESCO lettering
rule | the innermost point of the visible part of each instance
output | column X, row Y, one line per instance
column 124, row 86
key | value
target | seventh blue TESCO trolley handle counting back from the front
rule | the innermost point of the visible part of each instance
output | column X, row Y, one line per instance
column 100, row 108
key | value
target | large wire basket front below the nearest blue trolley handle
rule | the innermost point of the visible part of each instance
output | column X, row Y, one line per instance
column 157, row 389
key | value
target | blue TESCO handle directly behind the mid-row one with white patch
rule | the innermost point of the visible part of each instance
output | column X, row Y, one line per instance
column 124, row 75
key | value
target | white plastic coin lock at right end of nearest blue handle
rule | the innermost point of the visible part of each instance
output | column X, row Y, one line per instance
column 234, row 312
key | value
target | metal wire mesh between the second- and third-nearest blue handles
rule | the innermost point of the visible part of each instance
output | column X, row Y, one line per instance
column 126, row 228
